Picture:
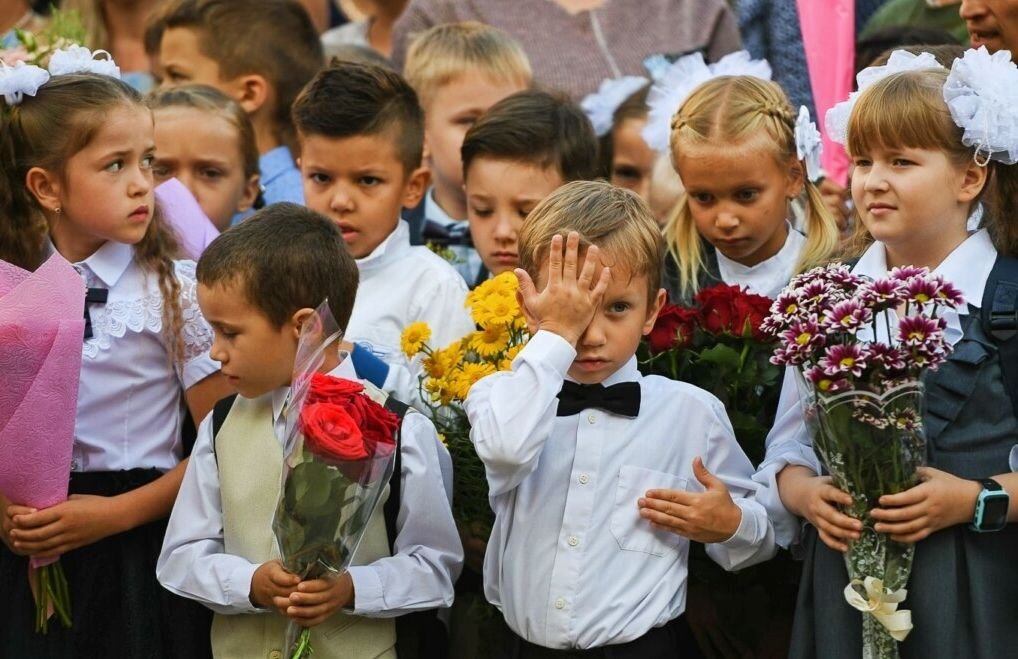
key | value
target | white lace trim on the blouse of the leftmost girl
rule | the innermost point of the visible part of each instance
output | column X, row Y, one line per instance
column 145, row 314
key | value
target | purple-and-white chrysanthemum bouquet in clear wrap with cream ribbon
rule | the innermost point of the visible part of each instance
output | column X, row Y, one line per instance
column 861, row 349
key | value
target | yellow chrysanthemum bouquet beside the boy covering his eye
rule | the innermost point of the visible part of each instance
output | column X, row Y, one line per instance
column 448, row 375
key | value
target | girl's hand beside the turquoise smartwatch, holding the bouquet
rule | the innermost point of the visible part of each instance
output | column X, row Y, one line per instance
column 941, row 501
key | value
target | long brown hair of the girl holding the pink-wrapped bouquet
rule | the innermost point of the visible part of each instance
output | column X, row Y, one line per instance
column 45, row 131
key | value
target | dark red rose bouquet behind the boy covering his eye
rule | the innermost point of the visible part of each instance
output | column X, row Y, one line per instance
column 719, row 346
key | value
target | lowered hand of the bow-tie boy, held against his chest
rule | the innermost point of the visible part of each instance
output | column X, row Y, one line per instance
column 703, row 517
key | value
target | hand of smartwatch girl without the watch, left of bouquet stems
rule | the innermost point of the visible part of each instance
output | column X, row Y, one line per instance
column 814, row 498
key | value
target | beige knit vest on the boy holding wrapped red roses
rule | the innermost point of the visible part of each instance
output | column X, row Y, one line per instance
column 251, row 462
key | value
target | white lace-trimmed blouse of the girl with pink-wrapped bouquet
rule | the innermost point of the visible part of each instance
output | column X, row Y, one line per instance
column 130, row 398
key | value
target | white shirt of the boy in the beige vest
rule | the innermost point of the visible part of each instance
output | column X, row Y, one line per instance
column 421, row 575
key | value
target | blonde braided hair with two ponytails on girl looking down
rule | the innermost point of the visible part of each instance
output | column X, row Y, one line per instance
column 726, row 112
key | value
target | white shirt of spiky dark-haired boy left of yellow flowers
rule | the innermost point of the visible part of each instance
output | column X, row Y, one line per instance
column 402, row 285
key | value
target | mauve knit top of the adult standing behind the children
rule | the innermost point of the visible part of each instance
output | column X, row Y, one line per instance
column 574, row 45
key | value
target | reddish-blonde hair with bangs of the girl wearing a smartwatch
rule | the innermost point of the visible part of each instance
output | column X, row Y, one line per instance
column 908, row 111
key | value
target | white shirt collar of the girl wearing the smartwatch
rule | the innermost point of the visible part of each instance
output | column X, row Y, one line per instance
column 967, row 268
